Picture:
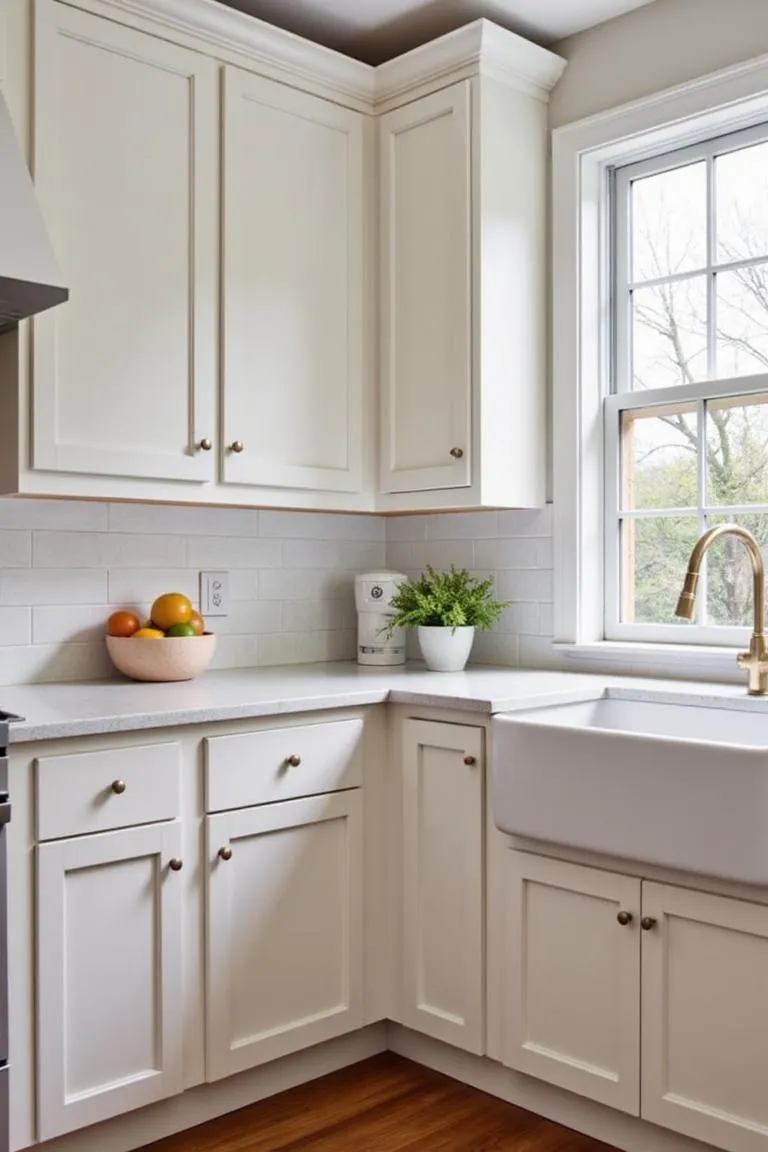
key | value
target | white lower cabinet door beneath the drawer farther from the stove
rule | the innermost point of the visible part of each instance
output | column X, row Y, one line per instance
column 285, row 929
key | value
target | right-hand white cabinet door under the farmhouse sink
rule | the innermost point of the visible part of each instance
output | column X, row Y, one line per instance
column 705, row 1018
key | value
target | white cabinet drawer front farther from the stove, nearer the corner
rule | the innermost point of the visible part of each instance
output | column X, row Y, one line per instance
column 261, row 768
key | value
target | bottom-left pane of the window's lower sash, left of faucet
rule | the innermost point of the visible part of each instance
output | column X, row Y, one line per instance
column 656, row 555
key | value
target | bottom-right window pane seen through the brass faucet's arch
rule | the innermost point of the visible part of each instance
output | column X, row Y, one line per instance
column 729, row 573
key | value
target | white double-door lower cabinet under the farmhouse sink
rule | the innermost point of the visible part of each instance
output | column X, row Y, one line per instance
column 602, row 968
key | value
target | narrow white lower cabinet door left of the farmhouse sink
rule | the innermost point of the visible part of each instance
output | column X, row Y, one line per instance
column 444, row 937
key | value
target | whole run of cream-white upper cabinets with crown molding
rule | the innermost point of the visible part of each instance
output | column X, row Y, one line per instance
column 242, row 221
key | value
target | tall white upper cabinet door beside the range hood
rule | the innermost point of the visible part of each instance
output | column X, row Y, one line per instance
column 126, row 165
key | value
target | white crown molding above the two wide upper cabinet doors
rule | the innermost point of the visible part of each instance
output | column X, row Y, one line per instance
column 308, row 64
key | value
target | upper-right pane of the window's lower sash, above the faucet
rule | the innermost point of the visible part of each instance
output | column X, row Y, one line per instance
column 737, row 451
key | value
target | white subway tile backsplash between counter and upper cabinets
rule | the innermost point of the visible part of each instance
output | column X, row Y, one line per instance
column 65, row 566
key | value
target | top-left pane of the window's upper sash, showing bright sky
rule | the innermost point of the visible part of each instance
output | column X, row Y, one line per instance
column 670, row 223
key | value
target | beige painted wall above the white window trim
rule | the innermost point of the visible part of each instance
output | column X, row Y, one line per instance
column 653, row 49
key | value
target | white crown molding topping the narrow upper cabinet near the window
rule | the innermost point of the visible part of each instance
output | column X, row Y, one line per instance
column 478, row 49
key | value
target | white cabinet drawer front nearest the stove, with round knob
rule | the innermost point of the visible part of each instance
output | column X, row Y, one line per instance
column 111, row 789
